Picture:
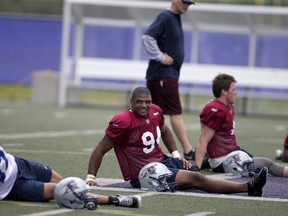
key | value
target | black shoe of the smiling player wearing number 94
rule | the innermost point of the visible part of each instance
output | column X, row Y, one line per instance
column 256, row 184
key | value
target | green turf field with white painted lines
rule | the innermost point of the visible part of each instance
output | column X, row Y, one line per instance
column 64, row 138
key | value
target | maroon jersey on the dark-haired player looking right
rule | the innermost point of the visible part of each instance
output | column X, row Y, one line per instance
column 219, row 117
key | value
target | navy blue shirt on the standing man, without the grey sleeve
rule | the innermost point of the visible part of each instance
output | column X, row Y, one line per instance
column 167, row 31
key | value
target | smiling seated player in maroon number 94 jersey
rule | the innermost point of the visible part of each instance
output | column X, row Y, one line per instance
column 135, row 135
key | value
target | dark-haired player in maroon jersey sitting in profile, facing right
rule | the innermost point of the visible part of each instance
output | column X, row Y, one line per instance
column 218, row 130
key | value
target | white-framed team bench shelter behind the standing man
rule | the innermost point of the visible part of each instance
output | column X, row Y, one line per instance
column 205, row 26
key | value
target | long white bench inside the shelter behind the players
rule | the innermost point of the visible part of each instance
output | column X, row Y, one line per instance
column 195, row 80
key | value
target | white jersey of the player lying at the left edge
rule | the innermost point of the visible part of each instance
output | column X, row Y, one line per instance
column 8, row 172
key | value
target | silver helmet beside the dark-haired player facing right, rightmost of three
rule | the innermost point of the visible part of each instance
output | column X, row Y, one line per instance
column 238, row 163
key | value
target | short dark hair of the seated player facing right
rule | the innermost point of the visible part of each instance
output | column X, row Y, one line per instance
column 222, row 81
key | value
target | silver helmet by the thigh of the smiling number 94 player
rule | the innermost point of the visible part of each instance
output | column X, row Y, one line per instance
column 154, row 176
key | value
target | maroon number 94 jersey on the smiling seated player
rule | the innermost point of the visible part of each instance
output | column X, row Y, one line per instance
column 136, row 140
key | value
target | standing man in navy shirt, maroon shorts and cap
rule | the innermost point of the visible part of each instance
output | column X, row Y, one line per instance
column 164, row 43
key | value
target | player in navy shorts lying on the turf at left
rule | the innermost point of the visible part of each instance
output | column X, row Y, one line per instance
column 25, row 180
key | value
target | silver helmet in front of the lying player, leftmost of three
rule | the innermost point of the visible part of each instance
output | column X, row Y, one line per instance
column 71, row 193
